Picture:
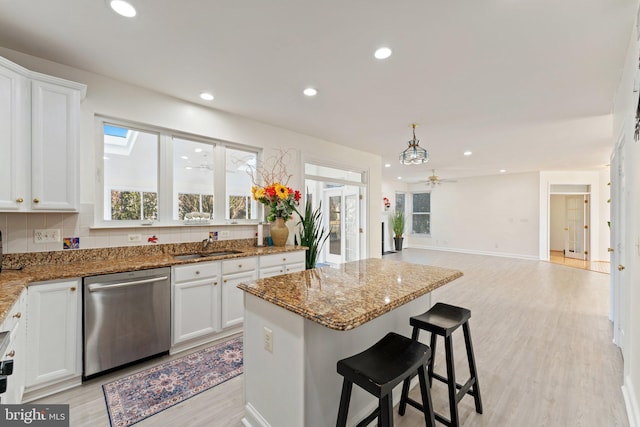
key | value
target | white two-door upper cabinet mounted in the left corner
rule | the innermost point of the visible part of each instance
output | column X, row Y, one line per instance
column 39, row 139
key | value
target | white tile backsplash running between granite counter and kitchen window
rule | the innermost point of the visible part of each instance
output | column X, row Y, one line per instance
column 18, row 232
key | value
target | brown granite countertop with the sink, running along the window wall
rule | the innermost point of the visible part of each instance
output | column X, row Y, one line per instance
column 12, row 282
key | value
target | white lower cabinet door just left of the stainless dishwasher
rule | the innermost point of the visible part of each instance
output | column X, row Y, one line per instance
column 53, row 332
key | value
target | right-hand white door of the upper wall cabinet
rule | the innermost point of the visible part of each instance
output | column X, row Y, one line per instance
column 54, row 146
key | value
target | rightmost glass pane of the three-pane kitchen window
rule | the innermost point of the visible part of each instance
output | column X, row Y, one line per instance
column 240, row 168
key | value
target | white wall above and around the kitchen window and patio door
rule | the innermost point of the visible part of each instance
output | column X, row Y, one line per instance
column 111, row 98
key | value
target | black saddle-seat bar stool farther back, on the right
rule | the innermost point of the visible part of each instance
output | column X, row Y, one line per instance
column 442, row 319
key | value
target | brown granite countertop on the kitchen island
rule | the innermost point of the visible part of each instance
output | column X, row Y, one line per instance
column 354, row 293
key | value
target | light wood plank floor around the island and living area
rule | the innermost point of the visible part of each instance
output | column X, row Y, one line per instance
column 542, row 340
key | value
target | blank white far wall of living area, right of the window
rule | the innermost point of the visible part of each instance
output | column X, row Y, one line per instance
column 495, row 215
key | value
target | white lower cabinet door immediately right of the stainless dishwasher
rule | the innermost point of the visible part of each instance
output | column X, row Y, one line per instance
column 196, row 309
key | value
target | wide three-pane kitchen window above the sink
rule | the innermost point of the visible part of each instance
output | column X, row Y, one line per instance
column 155, row 175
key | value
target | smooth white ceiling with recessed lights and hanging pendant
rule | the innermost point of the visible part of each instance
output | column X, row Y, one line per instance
column 525, row 85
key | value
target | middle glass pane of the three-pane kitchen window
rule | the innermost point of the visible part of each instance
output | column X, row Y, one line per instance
column 193, row 176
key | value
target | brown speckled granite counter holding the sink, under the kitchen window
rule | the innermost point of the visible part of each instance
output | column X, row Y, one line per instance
column 39, row 267
